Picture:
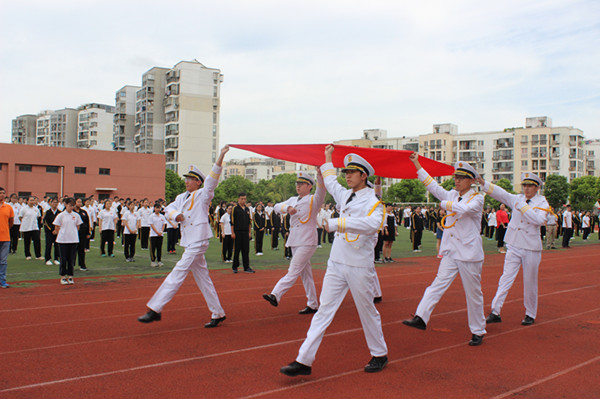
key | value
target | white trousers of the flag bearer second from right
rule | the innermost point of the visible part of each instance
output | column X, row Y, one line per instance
column 470, row 274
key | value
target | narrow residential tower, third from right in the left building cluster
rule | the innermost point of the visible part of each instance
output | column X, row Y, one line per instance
column 124, row 119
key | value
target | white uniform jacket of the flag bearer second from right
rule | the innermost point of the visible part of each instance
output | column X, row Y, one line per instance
column 461, row 240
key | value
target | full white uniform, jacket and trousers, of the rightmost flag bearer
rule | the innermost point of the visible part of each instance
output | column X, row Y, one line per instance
column 524, row 246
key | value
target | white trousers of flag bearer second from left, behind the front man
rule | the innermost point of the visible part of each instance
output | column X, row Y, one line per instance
column 299, row 267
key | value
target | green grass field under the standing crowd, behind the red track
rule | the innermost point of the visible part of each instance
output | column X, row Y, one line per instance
column 21, row 270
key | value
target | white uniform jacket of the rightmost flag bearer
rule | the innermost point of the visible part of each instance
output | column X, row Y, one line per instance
column 524, row 227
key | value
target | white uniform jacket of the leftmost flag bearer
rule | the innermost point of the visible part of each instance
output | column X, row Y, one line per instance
column 195, row 226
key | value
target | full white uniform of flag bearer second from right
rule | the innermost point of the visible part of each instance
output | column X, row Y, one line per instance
column 462, row 252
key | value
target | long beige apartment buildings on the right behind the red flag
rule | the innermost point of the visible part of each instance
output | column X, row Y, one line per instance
column 538, row 147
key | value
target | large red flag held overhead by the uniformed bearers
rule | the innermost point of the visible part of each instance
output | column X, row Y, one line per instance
column 387, row 163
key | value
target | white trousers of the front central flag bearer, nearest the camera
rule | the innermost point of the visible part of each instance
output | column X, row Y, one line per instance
column 338, row 279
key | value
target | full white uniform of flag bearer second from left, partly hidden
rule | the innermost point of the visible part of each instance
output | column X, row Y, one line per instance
column 303, row 242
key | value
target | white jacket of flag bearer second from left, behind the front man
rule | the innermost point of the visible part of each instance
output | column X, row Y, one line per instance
column 303, row 224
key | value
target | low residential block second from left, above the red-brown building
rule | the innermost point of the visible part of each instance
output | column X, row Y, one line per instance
column 57, row 128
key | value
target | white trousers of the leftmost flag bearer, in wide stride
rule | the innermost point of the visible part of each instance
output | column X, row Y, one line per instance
column 192, row 259
